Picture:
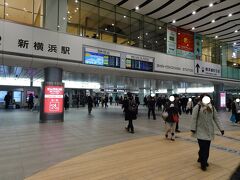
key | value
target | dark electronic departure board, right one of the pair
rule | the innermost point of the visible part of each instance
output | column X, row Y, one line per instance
column 139, row 65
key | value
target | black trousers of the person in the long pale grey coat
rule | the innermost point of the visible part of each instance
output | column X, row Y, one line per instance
column 203, row 153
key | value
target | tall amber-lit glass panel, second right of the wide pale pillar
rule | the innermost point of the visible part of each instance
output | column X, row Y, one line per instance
column 89, row 20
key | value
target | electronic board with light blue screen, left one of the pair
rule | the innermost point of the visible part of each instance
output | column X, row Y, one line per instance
column 100, row 59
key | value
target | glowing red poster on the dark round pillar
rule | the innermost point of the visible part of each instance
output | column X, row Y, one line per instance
column 53, row 99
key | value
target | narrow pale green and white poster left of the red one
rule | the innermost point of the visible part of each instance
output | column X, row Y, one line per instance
column 171, row 40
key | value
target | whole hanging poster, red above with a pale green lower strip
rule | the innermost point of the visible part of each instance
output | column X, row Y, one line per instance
column 185, row 43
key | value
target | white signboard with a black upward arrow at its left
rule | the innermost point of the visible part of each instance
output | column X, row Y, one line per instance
column 205, row 68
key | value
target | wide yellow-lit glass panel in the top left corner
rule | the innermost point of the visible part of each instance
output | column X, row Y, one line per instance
column 19, row 11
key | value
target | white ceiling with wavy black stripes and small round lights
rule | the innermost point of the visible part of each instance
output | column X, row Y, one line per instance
column 181, row 11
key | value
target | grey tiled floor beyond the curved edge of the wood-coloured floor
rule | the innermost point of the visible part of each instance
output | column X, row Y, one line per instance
column 27, row 147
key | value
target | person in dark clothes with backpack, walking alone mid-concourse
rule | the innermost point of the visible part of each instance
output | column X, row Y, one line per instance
column 130, row 109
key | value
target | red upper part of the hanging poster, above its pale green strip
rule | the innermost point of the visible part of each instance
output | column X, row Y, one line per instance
column 185, row 40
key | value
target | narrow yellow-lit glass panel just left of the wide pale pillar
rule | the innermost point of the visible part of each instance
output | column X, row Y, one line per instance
column 38, row 13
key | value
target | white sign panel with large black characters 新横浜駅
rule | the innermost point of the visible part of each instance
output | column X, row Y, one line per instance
column 40, row 42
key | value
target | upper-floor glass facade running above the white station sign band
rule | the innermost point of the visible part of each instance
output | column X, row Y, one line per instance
column 101, row 20
